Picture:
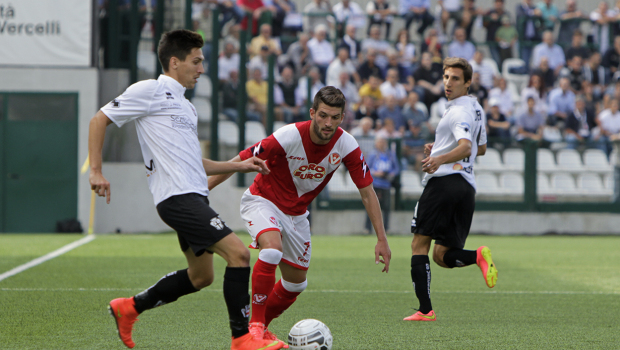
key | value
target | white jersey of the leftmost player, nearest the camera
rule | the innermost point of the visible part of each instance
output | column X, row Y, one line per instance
column 166, row 125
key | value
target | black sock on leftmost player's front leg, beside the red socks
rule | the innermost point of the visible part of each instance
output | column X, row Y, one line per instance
column 237, row 297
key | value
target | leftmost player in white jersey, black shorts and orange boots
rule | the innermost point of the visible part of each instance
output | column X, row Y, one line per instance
column 176, row 173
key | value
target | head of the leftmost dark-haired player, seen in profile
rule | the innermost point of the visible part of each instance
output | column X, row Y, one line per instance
column 181, row 56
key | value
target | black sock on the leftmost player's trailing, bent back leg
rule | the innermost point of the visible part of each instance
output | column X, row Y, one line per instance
column 168, row 289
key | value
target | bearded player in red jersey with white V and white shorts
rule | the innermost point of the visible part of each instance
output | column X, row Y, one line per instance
column 302, row 158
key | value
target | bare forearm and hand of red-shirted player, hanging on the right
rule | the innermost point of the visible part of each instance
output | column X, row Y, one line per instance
column 373, row 208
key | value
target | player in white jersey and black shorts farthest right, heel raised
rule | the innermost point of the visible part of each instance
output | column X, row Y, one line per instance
column 445, row 209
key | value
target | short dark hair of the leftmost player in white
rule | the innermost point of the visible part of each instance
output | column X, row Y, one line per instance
column 177, row 43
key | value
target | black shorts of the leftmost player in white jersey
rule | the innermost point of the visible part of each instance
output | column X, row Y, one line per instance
column 197, row 225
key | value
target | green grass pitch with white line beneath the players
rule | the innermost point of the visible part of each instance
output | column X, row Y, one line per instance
column 553, row 292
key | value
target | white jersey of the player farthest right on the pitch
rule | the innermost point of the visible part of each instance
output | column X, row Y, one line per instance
column 464, row 118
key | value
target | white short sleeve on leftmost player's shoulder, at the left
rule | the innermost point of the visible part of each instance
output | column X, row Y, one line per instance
column 134, row 103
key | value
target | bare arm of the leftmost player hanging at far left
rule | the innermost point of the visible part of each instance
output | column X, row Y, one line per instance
column 96, row 135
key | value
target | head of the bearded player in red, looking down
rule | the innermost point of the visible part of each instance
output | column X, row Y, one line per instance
column 327, row 113
